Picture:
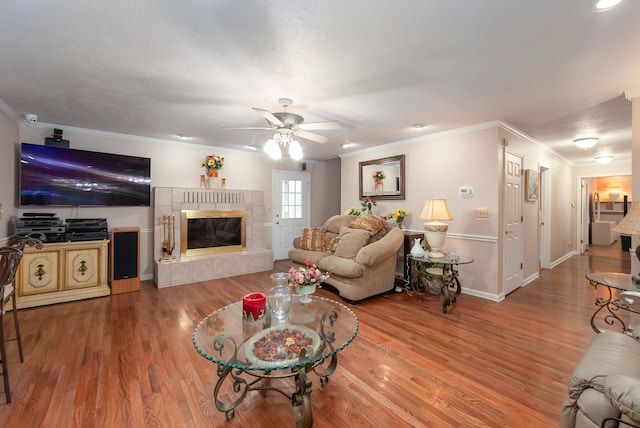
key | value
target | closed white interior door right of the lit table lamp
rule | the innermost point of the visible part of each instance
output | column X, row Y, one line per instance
column 512, row 256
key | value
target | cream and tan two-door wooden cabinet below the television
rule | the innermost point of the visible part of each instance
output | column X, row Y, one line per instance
column 62, row 272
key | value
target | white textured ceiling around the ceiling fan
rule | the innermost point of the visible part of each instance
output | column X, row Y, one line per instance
column 556, row 70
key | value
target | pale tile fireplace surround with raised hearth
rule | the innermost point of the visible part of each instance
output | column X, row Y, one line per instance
column 184, row 270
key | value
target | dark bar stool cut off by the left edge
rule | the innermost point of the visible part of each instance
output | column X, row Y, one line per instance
column 9, row 261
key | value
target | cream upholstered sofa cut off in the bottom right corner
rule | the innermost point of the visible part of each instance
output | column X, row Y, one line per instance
column 605, row 384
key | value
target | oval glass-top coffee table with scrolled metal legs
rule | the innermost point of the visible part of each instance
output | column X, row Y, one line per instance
column 249, row 355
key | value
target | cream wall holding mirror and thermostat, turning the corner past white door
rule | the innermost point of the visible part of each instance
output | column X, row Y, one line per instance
column 437, row 165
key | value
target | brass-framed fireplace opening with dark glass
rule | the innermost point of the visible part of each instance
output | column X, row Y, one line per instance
column 206, row 232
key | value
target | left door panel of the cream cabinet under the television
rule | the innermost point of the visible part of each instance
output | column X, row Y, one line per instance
column 39, row 273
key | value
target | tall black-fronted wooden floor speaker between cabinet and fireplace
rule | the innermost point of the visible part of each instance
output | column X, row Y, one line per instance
column 124, row 260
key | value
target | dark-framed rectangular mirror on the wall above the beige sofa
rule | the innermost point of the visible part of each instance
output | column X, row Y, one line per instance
column 382, row 178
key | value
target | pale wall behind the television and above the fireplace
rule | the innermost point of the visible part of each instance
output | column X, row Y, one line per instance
column 173, row 164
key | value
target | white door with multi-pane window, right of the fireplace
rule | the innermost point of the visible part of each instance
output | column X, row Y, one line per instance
column 290, row 210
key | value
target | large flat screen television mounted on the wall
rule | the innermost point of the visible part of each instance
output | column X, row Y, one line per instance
column 57, row 176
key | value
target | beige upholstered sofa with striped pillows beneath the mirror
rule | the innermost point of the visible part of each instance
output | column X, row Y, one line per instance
column 360, row 253
